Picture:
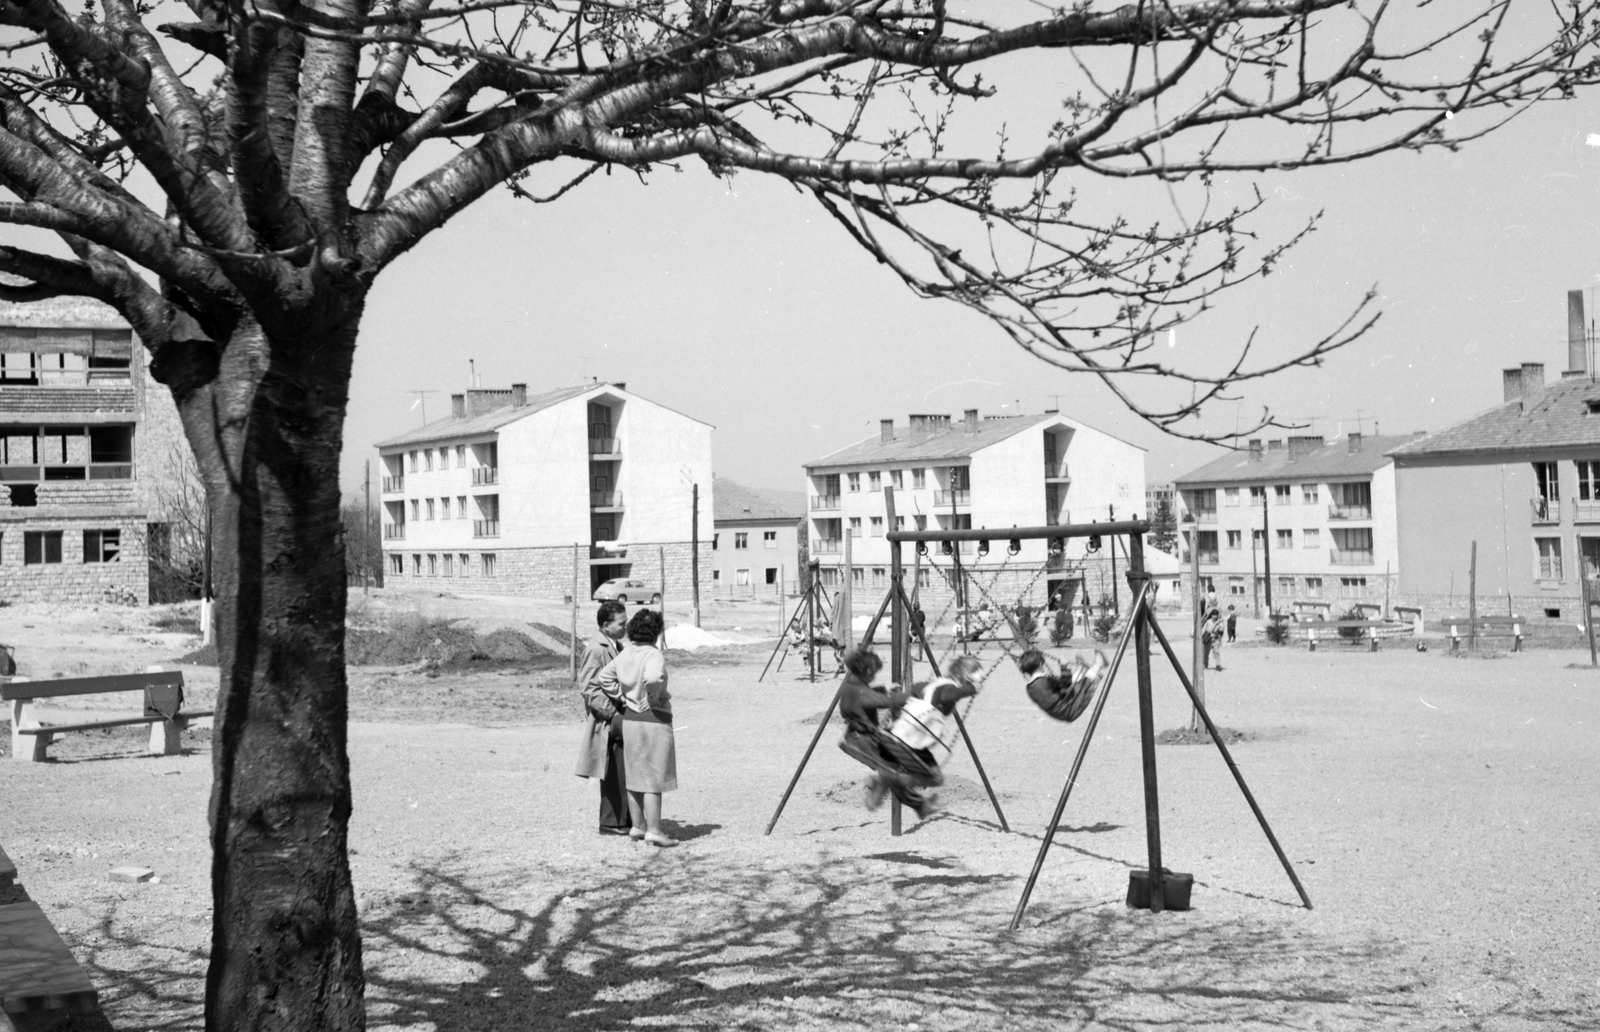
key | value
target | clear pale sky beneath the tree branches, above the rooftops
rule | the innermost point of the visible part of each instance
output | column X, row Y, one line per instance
column 745, row 308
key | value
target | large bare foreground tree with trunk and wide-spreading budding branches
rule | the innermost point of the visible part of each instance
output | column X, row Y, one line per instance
column 294, row 150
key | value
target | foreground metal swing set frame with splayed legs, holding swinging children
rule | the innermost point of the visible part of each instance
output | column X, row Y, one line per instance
column 1142, row 631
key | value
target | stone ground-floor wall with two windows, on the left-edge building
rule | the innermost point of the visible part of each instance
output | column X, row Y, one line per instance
column 73, row 580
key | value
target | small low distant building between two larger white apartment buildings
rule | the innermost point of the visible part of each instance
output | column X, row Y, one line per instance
column 756, row 542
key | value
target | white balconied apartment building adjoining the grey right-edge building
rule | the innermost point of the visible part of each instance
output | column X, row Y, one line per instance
column 1321, row 513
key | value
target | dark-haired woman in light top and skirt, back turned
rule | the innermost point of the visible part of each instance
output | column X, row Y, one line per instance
column 638, row 681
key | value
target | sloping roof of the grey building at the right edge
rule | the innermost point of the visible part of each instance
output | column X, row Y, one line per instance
column 1559, row 420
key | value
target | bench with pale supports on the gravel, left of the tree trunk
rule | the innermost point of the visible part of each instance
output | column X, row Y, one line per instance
column 164, row 698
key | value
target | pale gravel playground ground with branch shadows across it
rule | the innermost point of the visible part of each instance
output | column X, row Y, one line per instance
column 1441, row 814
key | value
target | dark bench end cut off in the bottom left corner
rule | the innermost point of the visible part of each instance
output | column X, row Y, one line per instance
column 41, row 980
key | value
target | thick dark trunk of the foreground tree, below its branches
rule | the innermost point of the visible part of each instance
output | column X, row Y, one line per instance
column 268, row 430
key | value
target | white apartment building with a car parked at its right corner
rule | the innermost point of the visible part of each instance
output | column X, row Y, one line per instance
column 546, row 495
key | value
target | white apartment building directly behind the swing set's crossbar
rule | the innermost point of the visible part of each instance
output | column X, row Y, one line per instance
column 991, row 473
